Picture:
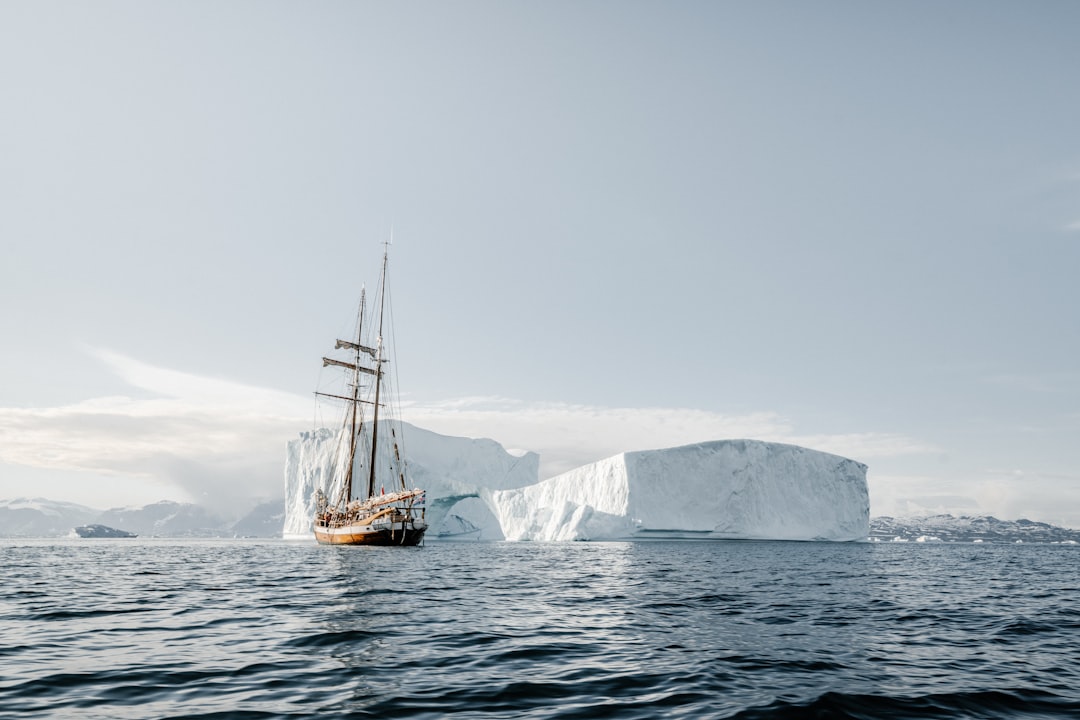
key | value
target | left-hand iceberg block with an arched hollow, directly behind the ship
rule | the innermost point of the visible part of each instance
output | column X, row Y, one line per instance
column 452, row 470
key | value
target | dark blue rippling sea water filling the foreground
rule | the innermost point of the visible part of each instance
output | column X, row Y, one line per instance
column 159, row 629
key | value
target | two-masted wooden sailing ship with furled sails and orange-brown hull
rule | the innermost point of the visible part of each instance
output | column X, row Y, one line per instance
column 374, row 518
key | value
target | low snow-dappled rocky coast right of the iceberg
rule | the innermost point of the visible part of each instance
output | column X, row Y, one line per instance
column 968, row 529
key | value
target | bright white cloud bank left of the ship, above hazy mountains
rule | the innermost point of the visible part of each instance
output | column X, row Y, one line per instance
column 208, row 437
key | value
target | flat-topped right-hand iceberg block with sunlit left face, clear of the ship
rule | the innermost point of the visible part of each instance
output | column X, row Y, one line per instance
column 733, row 490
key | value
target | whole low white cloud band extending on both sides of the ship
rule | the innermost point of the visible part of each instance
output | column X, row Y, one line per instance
column 223, row 440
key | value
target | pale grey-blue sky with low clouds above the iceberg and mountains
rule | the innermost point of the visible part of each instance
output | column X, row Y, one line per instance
column 618, row 226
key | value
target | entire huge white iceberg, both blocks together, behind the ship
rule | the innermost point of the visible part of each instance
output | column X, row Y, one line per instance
column 724, row 490
